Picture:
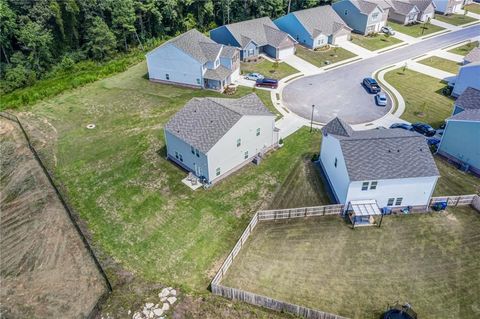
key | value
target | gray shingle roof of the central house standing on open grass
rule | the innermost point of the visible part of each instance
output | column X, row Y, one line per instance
column 202, row 122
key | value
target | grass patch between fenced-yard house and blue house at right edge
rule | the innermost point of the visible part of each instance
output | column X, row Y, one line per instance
column 453, row 181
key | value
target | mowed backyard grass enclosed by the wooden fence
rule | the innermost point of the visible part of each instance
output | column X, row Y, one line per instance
column 430, row 260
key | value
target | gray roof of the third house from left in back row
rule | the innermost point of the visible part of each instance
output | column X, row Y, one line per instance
column 322, row 19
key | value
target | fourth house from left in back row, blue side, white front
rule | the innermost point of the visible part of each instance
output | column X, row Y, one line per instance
column 362, row 16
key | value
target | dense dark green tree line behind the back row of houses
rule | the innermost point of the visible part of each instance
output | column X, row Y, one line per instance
column 38, row 37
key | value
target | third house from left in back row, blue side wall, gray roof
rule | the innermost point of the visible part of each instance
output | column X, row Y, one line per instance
column 315, row 27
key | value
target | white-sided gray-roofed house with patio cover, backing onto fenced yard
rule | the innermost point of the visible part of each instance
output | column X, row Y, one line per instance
column 392, row 167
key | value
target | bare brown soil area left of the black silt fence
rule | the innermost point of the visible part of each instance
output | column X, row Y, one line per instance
column 45, row 269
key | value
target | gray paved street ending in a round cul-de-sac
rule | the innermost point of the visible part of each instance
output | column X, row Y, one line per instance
column 338, row 92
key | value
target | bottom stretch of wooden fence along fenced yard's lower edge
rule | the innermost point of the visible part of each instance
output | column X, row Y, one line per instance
column 263, row 301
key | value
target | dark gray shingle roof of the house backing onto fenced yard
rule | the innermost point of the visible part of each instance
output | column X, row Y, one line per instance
column 384, row 153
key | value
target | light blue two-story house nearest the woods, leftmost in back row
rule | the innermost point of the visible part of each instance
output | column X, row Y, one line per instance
column 192, row 59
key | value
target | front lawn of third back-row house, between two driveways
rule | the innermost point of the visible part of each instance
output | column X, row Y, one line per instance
column 319, row 58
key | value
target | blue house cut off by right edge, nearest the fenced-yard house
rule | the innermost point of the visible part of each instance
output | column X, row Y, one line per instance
column 460, row 141
